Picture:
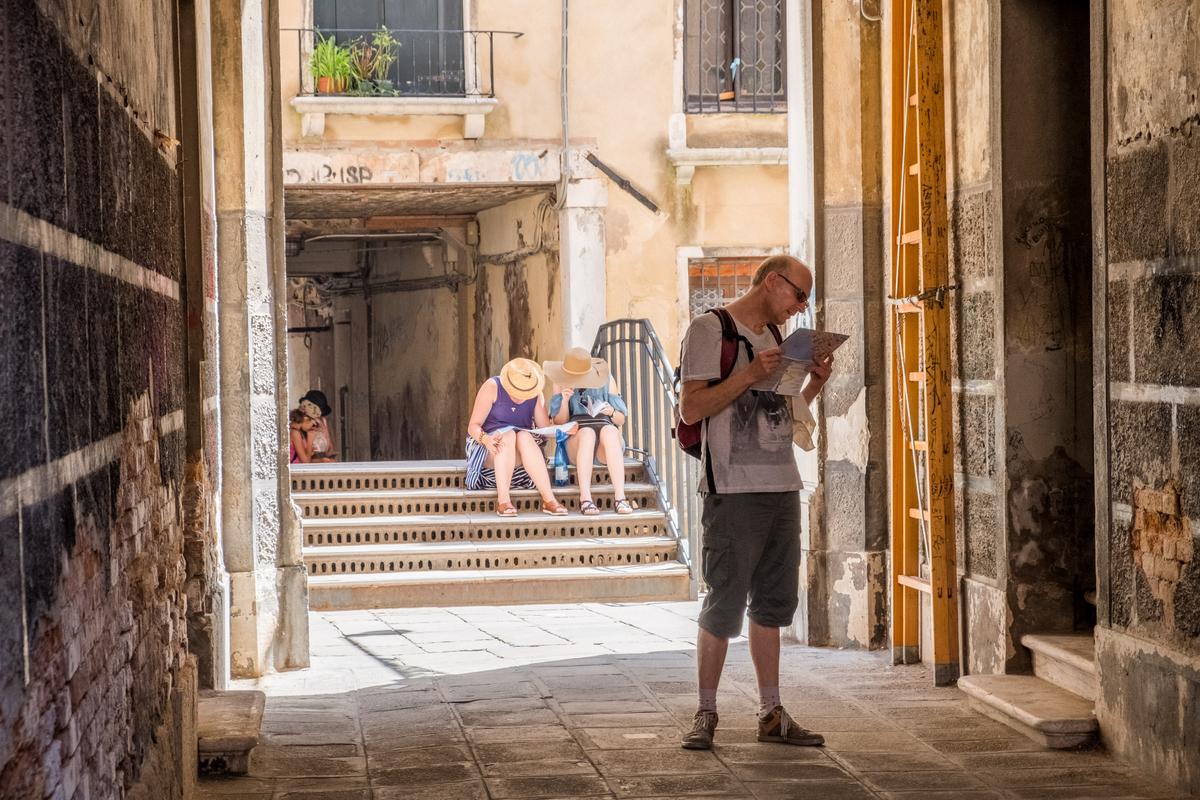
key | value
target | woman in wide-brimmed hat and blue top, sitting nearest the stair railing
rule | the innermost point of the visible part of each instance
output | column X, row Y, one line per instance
column 583, row 395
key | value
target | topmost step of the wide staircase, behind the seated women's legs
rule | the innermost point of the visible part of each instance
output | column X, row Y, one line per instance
column 410, row 476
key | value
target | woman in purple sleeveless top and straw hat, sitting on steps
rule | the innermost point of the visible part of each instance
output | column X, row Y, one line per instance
column 506, row 404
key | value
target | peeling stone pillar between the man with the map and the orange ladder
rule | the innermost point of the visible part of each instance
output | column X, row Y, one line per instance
column 847, row 549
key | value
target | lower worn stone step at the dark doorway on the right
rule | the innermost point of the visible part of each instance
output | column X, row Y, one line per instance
column 1045, row 713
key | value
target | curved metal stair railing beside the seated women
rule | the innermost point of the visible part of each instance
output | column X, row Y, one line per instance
column 646, row 378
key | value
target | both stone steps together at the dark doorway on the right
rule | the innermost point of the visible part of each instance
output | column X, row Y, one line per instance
column 1055, row 706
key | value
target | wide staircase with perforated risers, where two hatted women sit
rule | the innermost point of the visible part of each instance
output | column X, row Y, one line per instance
column 403, row 534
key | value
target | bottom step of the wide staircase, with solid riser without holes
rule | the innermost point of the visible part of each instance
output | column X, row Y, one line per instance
column 645, row 582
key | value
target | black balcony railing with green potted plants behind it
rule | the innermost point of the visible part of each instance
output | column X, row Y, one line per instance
column 395, row 63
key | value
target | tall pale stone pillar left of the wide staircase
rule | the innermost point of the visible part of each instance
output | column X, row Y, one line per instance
column 268, row 593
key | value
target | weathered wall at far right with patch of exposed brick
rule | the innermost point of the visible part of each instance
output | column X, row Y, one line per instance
column 1149, row 636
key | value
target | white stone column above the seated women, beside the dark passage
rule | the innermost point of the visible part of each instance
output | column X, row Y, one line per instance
column 581, row 272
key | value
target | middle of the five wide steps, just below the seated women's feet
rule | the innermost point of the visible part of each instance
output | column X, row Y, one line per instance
column 478, row 527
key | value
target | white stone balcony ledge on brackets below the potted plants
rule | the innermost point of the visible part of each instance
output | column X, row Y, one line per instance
column 314, row 110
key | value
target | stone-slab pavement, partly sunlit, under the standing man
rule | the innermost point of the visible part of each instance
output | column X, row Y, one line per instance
column 590, row 701
